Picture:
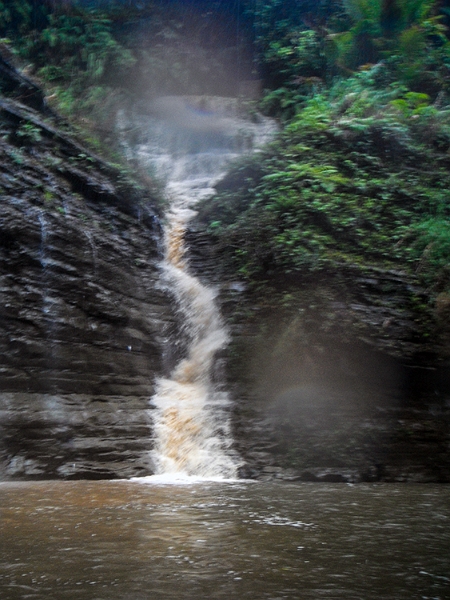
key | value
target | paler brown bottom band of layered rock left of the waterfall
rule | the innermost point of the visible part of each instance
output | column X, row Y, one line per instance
column 72, row 436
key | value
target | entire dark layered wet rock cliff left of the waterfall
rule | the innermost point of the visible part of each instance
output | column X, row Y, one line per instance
column 83, row 315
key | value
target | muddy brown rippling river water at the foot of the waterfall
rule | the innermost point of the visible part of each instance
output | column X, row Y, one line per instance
column 227, row 540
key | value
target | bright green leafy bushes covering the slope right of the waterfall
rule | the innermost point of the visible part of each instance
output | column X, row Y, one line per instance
column 358, row 176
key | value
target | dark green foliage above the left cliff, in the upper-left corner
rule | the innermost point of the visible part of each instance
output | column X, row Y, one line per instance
column 74, row 50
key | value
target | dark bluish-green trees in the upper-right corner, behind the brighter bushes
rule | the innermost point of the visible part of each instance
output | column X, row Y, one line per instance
column 302, row 48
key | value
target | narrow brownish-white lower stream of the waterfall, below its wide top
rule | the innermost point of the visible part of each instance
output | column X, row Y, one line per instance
column 191, row 426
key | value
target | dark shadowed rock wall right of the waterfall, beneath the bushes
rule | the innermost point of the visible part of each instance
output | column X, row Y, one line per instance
column 347, row 379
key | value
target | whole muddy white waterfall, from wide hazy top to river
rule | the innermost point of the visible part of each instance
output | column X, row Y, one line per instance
column 189, row 147
